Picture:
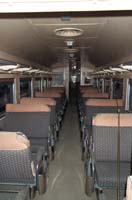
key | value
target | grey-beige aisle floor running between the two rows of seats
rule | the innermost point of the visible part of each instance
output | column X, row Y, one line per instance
column 66, row 171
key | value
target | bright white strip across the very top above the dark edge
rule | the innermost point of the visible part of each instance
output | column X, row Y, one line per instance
column 12, row 6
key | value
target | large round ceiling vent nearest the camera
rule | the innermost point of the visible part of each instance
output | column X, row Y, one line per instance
column 68, row 32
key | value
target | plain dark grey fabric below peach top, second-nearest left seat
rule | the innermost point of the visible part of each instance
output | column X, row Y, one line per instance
column 35, row 125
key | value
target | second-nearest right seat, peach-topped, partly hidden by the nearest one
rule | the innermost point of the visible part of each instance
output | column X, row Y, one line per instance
column 93, row 107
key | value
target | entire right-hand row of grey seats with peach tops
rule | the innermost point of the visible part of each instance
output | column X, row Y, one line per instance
column 106, row 141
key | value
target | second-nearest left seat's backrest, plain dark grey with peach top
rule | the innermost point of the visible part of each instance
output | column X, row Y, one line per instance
column 33, row 120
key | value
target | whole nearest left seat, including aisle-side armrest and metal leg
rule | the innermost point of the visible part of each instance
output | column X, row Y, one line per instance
column 20, row 170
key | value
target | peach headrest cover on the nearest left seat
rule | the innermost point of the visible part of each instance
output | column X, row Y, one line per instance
column 13, row 141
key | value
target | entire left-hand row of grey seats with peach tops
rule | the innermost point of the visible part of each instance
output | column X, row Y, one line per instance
column 29, row 132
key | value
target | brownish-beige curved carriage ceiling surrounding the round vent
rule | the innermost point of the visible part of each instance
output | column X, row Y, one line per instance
column 105, row 39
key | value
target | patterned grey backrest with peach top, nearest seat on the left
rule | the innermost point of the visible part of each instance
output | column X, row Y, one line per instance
column 16, row 167
